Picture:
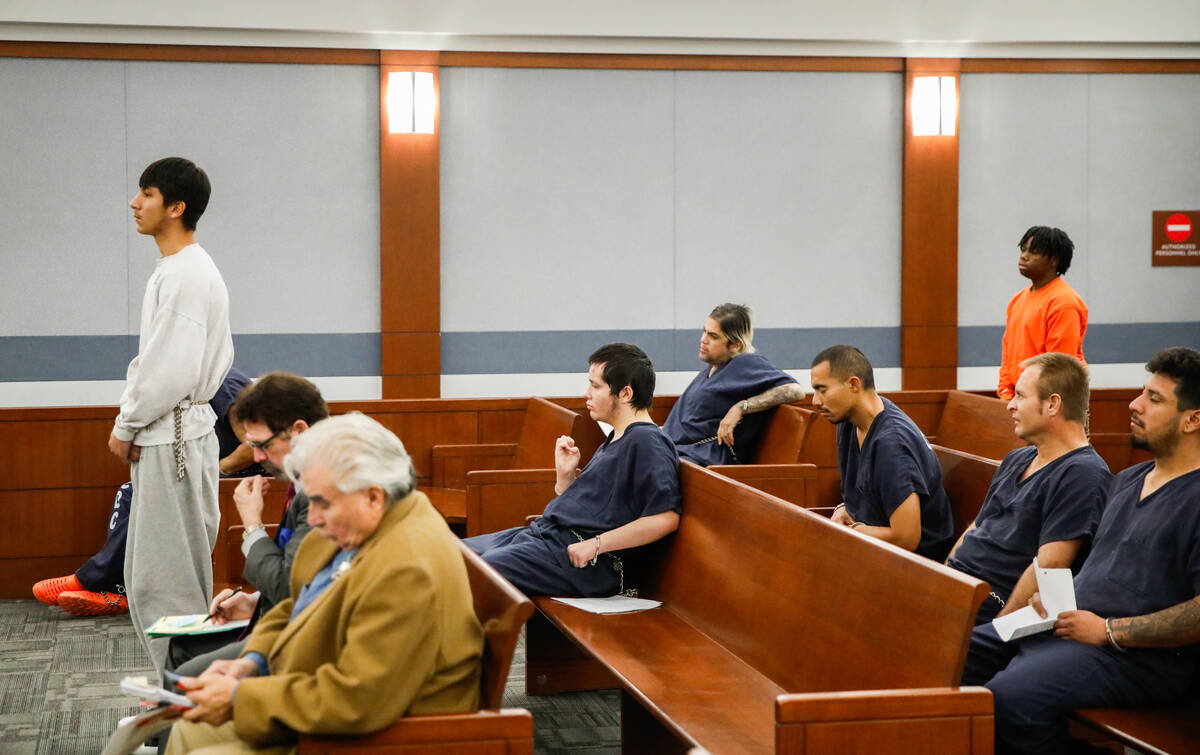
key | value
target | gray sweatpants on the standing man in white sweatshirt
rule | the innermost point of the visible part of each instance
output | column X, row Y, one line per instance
column 173, row 529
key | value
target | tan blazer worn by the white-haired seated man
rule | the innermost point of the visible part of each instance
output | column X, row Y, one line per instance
column 397, row 634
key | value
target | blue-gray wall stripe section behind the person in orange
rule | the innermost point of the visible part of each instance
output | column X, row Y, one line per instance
column 1105, row 343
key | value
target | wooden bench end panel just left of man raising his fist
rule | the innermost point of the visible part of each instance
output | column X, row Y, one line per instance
column 502, row 499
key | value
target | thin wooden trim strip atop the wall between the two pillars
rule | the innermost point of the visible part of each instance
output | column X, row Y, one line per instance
column 673, row 63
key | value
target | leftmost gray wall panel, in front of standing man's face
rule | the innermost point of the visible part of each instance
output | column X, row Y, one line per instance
column 64, row 219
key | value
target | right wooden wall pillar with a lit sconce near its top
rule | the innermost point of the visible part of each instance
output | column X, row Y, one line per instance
column 929, row 267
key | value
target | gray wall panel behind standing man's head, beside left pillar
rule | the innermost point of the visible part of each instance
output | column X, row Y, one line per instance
column 293, row 154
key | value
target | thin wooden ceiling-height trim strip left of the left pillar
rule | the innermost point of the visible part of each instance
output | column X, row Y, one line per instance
column 190, row 53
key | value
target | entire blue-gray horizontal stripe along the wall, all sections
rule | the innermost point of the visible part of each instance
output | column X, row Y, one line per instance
column 351, row 355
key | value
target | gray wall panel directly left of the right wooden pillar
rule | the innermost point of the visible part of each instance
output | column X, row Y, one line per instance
column 784, row 181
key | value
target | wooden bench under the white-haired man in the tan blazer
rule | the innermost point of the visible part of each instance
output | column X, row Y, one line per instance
column 491, row 730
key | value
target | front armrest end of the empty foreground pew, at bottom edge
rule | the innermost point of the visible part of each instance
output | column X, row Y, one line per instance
column 959, row 721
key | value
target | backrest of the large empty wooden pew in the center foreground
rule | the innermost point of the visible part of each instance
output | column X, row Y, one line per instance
column 788, row 591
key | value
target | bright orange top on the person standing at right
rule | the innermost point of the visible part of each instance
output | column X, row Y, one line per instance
column 1053, row 319
